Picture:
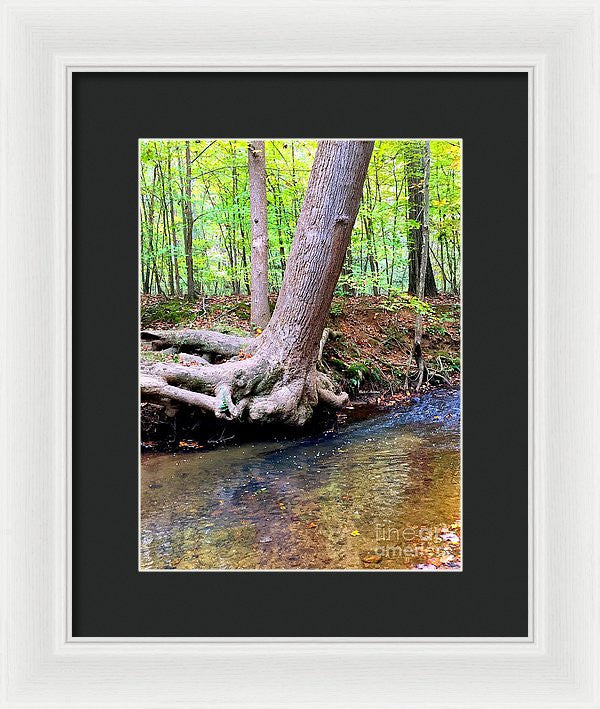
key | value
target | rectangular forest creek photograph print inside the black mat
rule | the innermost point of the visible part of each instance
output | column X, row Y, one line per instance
column 300, row 354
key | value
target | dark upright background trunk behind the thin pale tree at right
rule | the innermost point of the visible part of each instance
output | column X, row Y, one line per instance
column 415, row 175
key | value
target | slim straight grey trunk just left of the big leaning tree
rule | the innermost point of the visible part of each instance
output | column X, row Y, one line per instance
column 259, row 282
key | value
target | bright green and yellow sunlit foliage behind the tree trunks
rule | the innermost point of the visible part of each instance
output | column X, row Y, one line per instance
column 220, row 205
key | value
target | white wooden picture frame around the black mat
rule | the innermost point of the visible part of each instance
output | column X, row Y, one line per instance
column 557, row 44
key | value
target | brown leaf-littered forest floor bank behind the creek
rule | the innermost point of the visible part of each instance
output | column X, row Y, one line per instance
column 367, row 350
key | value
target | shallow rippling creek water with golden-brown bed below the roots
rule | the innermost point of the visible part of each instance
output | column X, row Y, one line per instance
column 383, row 493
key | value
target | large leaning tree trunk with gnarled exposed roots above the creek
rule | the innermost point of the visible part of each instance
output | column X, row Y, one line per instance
column 276, row 379
